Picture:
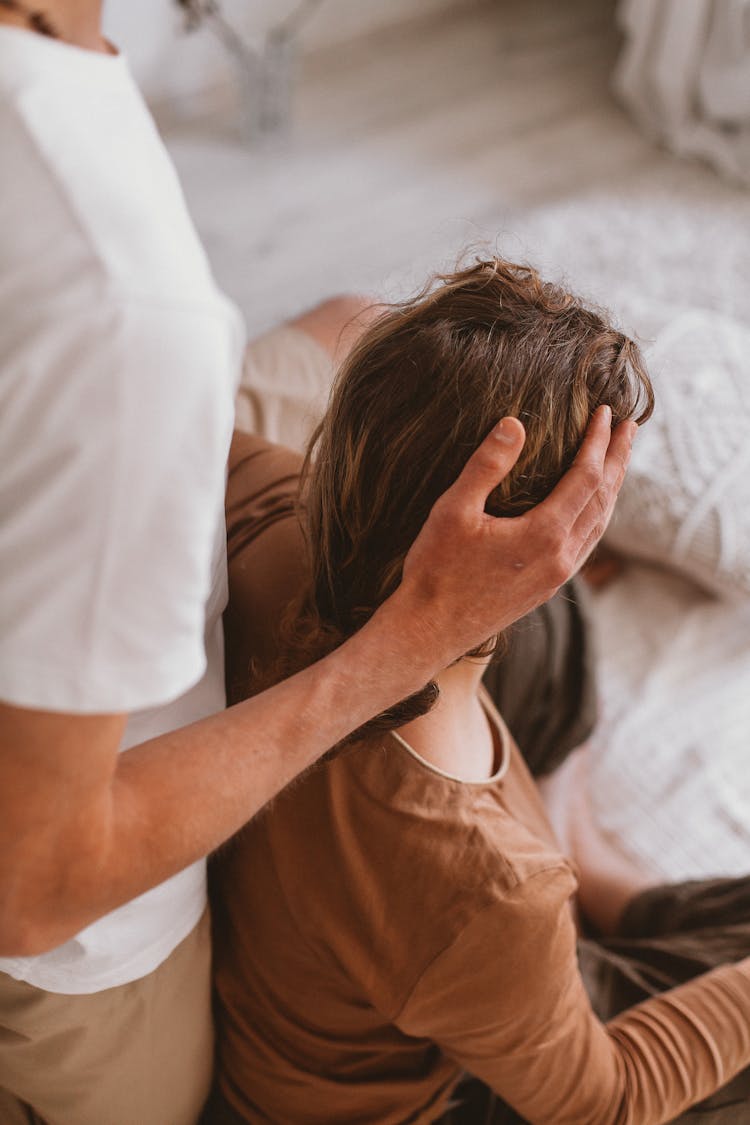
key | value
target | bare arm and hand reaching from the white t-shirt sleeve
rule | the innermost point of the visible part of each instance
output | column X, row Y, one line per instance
column 85, row 830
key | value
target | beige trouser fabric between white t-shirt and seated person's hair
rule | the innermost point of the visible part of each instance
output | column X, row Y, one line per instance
column 285, row 388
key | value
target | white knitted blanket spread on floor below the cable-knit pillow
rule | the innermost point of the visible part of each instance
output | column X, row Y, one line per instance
column 668, row 766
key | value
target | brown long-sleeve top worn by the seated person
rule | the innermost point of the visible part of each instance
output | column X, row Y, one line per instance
column 384, row 926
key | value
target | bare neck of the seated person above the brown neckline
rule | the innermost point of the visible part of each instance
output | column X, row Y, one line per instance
column 456, row 736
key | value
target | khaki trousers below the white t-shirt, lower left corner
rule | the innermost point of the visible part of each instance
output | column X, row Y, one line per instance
column 138, row 1055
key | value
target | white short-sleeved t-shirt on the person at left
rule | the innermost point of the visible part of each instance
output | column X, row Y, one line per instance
column 119, row 367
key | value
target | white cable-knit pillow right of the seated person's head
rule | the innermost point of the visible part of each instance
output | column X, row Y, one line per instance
column 686, row 498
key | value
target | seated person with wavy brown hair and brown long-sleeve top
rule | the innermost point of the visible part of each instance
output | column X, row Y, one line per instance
column 402, row 917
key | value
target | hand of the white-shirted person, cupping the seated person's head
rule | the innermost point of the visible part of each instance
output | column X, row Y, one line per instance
column 471, row 575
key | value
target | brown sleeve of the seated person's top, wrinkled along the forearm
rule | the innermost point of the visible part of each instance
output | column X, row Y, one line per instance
column 508, row 1003
